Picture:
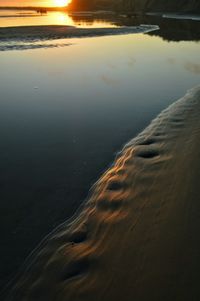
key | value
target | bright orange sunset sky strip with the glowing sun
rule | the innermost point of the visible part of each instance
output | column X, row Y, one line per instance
column 33, row 2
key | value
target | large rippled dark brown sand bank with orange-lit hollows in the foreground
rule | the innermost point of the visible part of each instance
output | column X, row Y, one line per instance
column 136, row 237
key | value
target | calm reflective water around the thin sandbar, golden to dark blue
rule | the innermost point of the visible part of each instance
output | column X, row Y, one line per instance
column 66, row 111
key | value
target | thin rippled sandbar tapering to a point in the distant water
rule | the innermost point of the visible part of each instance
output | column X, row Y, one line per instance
column 35, row 37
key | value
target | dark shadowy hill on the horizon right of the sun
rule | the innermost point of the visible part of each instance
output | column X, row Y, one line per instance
column 180, row 6
